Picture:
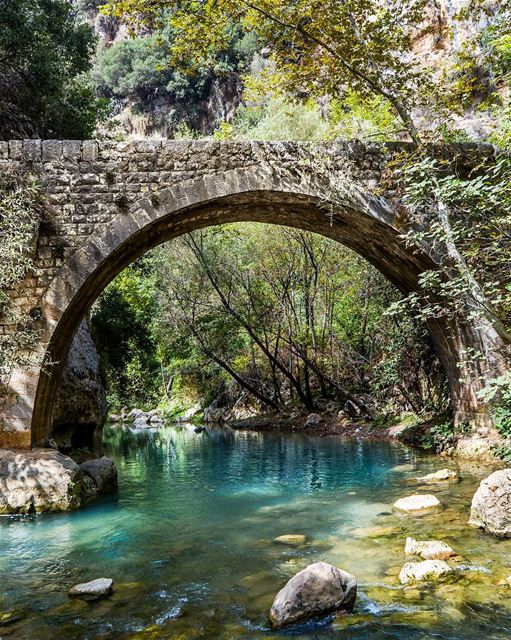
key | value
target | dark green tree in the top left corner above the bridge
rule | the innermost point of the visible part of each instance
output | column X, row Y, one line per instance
column 44, row 58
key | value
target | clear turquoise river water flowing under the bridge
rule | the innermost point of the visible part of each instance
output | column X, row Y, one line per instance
column 188, row 542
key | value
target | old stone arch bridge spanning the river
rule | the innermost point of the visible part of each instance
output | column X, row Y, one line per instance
column 107, row 203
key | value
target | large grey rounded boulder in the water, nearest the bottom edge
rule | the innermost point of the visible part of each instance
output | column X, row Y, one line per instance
column 316, row 590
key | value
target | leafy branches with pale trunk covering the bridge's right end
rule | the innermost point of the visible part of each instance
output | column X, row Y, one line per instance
column 468, row 219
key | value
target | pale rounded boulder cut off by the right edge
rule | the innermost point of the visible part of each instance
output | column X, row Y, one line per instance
column 491, row 504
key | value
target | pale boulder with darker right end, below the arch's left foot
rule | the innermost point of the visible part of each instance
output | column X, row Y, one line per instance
column 46, row 480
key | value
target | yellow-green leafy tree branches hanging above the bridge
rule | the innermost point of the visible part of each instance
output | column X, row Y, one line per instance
column 318, row 46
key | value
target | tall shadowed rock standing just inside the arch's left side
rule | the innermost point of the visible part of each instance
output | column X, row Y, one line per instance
column 80, row 407
